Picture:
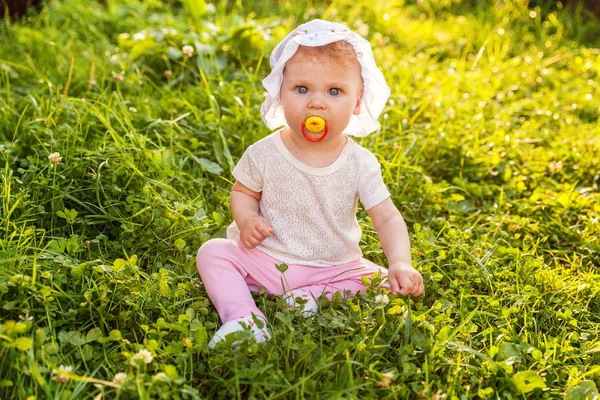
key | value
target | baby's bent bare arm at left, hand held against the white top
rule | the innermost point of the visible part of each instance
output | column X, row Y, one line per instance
column 244, row 207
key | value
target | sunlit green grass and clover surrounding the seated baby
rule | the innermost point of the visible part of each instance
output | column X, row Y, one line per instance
column 489, row 146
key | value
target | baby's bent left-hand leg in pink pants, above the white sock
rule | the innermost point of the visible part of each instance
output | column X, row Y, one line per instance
column 229, row 271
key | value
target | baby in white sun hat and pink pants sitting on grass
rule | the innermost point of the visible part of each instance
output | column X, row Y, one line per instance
column 295, row 197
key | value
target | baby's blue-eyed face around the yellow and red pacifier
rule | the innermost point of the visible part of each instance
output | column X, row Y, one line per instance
column 314, row 84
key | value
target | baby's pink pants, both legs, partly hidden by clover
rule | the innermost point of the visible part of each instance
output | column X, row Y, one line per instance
column 230, row 271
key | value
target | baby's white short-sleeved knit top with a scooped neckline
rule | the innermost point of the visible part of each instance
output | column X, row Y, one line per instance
column 312, row 210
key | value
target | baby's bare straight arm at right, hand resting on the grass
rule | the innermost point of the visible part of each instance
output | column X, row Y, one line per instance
column 393, row 236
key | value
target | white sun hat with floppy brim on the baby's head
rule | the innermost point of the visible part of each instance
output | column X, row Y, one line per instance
column 319, row 33
